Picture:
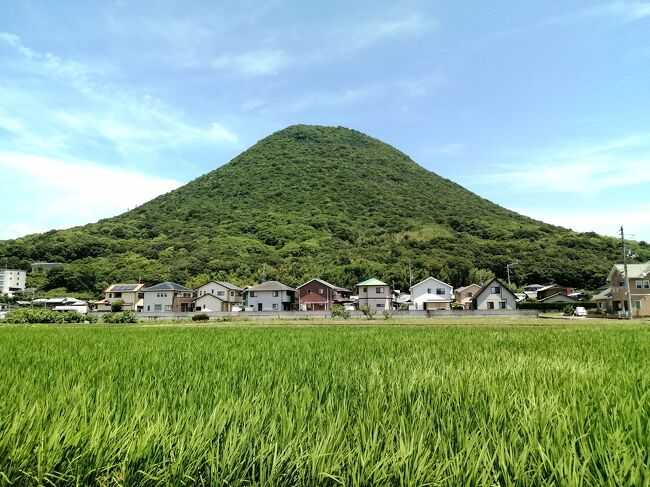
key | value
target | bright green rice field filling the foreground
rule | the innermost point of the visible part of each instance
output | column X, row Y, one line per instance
column 537, row 402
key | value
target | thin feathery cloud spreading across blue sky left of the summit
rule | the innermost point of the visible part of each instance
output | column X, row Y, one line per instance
column 136, row 124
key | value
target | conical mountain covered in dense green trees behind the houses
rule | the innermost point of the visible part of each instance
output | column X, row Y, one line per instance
column 311, row 201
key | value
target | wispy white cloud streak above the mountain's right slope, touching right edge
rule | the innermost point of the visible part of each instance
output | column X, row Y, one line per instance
column 584, row 168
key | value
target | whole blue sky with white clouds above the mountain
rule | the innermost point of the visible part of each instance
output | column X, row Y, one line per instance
column 542, row 107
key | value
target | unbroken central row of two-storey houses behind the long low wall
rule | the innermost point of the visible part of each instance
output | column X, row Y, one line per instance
column 314, row 295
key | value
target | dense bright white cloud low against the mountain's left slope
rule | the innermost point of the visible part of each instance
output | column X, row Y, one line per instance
column 64, row 193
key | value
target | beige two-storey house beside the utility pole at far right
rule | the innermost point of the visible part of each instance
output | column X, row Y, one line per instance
column 639, row 279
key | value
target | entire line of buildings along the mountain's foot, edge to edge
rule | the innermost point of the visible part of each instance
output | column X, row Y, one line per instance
column 319, row 295
